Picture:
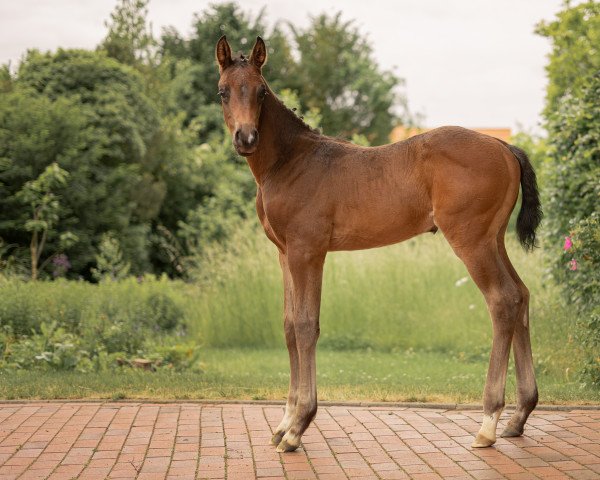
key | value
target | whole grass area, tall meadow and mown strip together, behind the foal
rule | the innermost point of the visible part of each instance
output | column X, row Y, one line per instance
column 403, row 323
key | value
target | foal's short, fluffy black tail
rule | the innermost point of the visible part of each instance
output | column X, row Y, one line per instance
column 530, row 214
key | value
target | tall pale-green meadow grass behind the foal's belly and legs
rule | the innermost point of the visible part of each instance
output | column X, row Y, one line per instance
column 415, row 295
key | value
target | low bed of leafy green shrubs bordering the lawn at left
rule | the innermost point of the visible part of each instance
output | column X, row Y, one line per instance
column 68, row 325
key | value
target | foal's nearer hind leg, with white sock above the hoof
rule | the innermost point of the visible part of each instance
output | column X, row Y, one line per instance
column 504, row 300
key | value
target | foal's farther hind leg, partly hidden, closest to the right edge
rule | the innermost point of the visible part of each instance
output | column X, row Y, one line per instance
column 527, row 394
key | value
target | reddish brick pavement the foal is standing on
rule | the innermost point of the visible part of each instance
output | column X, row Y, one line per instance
column 216, row 441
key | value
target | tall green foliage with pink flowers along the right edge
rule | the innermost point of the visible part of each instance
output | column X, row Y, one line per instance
column 571, row 173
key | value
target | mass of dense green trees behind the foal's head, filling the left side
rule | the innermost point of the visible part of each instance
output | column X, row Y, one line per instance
column 134, row 130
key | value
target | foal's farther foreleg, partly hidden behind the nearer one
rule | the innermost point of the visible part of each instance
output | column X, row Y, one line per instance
column 290, row 340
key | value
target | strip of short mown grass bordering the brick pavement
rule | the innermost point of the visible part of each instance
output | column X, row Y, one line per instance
column 263, row 375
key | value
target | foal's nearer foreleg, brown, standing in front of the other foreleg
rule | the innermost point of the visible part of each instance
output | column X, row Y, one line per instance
column 306, row 271
